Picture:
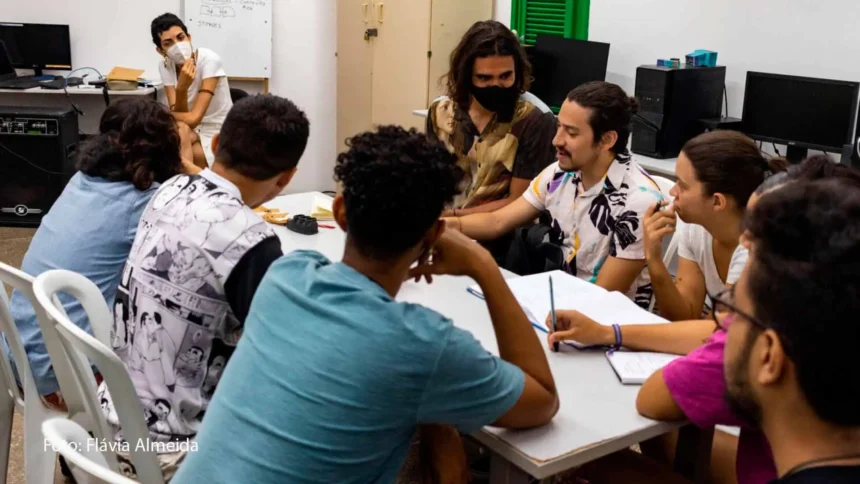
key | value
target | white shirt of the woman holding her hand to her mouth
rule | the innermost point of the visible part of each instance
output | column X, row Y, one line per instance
column 697, row 244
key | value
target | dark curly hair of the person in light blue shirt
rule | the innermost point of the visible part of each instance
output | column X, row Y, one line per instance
column 137, row 142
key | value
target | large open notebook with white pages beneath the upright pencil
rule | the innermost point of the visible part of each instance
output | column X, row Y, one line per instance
column 532, row 292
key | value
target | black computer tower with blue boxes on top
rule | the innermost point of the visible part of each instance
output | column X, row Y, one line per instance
column 672, row 101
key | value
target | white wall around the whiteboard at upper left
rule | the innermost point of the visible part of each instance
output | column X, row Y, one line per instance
column 106, row 33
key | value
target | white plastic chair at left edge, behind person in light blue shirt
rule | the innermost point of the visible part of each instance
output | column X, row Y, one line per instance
column 38, row 463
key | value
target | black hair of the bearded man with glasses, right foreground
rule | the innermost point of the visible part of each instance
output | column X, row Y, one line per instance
column 803, row 283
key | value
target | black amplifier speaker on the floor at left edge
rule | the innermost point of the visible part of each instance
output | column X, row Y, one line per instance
column 37, row 147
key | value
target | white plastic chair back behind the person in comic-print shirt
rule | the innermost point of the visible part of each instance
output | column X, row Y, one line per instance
column 79, row 346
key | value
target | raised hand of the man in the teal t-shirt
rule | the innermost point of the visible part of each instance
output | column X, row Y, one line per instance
column 454, row 254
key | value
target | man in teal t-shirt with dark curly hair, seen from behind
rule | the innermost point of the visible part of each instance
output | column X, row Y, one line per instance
column 342, row 375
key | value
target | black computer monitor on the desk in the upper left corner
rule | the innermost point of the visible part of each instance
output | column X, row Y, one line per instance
column 37, row 46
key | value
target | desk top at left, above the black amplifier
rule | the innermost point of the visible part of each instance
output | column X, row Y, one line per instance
column 90, row 101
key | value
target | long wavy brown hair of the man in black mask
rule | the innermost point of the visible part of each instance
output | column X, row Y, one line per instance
column 484, row 39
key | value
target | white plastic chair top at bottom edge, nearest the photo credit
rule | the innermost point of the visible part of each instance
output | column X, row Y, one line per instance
column 71, row 441
